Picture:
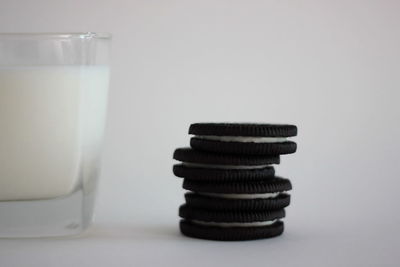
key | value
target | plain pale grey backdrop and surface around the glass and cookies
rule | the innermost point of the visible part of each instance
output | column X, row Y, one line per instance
column 330, row 67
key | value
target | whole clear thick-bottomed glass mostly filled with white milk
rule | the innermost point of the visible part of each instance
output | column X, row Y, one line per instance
column 53, row 99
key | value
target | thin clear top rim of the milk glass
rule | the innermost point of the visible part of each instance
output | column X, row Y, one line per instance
column 57, row 35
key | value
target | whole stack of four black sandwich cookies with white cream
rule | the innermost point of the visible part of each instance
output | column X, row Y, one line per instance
column 233, row 191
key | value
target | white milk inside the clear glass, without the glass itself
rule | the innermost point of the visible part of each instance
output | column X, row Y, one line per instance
column 51, row 124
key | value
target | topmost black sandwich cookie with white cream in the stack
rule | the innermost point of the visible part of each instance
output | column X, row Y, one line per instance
column 243, row 138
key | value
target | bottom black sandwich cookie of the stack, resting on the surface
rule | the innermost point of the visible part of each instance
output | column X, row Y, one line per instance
column 230, row 225
